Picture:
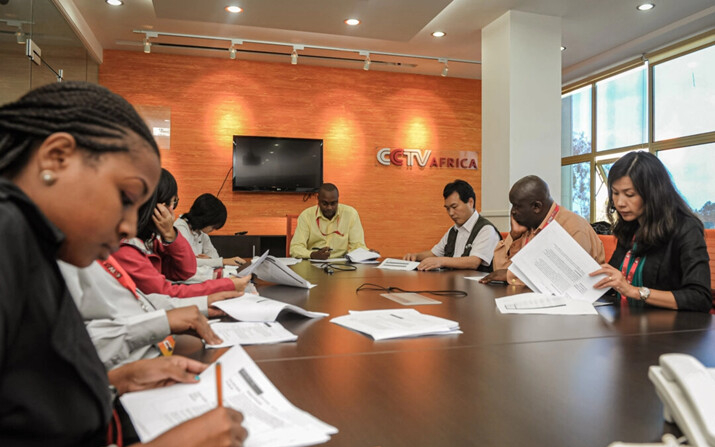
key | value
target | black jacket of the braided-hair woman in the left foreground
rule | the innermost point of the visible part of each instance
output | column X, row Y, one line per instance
column 53, row 387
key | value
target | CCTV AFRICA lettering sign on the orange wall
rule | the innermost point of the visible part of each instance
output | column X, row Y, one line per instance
column 423, row 158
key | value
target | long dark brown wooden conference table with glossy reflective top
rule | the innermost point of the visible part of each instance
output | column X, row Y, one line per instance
column 509, row 380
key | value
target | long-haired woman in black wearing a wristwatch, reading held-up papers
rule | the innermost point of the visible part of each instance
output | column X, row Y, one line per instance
column 661, row 258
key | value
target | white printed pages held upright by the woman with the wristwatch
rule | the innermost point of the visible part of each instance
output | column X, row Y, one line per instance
column 554, row 263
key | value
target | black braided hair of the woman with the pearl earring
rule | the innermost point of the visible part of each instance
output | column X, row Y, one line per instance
column 98, row 119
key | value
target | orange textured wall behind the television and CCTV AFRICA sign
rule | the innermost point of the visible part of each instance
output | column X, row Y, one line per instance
column 355, row 112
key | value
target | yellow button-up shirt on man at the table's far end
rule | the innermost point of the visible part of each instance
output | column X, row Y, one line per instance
column 343, row 233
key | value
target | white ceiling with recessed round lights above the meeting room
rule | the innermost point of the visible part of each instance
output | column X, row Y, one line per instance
column 596, row 33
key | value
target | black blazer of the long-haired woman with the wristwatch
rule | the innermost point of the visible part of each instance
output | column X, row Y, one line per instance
column 681, row 266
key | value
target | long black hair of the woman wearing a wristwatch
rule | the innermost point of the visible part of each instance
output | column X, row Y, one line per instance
column 663, row 207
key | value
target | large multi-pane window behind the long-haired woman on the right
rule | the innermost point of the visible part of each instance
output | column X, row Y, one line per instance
column 608, row 116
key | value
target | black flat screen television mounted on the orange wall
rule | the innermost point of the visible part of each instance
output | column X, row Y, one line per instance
column 271, row 164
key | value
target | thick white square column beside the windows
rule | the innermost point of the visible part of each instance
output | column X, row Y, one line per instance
column 521, row 107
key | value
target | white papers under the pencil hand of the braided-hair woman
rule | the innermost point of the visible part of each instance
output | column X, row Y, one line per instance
column 271, row 420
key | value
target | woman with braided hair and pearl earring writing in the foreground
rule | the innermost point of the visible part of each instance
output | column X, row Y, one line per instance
column 76, row 163
